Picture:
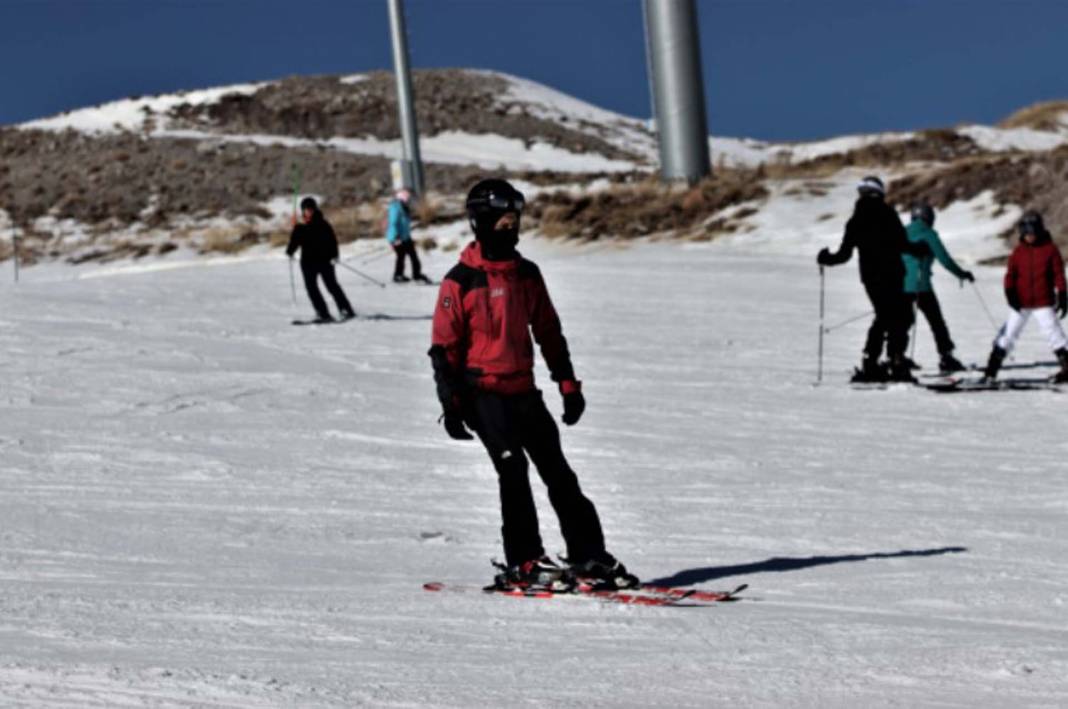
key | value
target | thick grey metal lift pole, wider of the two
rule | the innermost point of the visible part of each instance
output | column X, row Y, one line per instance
column 674, row 57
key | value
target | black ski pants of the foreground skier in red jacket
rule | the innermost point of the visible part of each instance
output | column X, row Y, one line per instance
column 513, row 428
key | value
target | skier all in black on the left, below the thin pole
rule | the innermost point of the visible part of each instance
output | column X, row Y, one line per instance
column 319, row 250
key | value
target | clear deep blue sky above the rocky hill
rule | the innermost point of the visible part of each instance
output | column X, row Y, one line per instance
column 782, row 70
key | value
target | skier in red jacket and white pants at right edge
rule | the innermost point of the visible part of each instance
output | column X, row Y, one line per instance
column 1034, row 285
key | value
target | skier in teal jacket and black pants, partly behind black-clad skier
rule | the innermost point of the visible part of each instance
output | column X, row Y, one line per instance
column 918, row 281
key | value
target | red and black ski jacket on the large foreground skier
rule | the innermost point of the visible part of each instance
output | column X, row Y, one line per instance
column 483, row 321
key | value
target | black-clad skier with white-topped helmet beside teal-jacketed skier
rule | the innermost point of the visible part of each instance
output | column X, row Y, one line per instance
column 876, row 232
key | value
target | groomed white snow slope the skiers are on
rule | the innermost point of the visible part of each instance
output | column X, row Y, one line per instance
column 201, row 506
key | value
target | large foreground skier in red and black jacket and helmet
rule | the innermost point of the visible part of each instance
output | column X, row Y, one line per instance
column 489, row 306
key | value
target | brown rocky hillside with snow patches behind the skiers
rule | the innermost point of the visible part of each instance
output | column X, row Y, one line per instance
column 216, row 170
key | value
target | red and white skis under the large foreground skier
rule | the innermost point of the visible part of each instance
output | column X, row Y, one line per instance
column 645, row 595
